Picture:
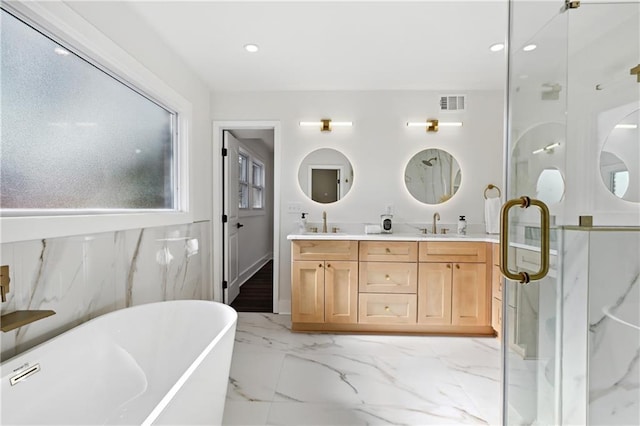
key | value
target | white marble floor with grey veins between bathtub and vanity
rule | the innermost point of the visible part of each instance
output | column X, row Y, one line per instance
column 283, row 378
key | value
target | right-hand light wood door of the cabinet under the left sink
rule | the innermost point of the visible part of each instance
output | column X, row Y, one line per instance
column 341, row 292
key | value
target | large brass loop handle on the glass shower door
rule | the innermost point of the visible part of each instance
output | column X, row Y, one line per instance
column 524, row 277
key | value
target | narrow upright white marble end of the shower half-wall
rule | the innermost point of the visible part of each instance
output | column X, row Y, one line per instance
column 575, row 260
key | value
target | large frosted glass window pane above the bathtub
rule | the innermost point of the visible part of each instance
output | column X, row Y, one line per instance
column 74, row 137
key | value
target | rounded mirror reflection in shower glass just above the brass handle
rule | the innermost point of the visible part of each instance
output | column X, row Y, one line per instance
column 538, row 158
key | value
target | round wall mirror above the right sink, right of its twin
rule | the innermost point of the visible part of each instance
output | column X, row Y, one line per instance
column 432, row 176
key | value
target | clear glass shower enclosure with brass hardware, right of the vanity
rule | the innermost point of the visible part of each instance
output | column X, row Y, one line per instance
column 571, row 340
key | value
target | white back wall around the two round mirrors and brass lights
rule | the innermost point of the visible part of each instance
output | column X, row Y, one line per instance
column 379, row 145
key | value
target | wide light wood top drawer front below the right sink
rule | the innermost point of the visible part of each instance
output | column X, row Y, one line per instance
column 452, row 251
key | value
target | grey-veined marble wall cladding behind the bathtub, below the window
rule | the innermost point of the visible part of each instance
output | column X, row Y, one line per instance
column 82, row 277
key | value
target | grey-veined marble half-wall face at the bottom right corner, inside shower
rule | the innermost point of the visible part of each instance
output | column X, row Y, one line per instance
column 614, row 328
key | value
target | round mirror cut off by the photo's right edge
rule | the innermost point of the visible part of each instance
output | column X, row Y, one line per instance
column 620, row 159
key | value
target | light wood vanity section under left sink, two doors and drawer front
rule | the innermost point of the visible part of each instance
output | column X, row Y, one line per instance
column 325, row 289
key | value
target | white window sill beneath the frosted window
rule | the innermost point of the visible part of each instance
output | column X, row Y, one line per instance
column 14, row 229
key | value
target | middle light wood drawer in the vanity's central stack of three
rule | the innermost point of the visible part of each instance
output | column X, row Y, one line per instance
column 384, row 277
